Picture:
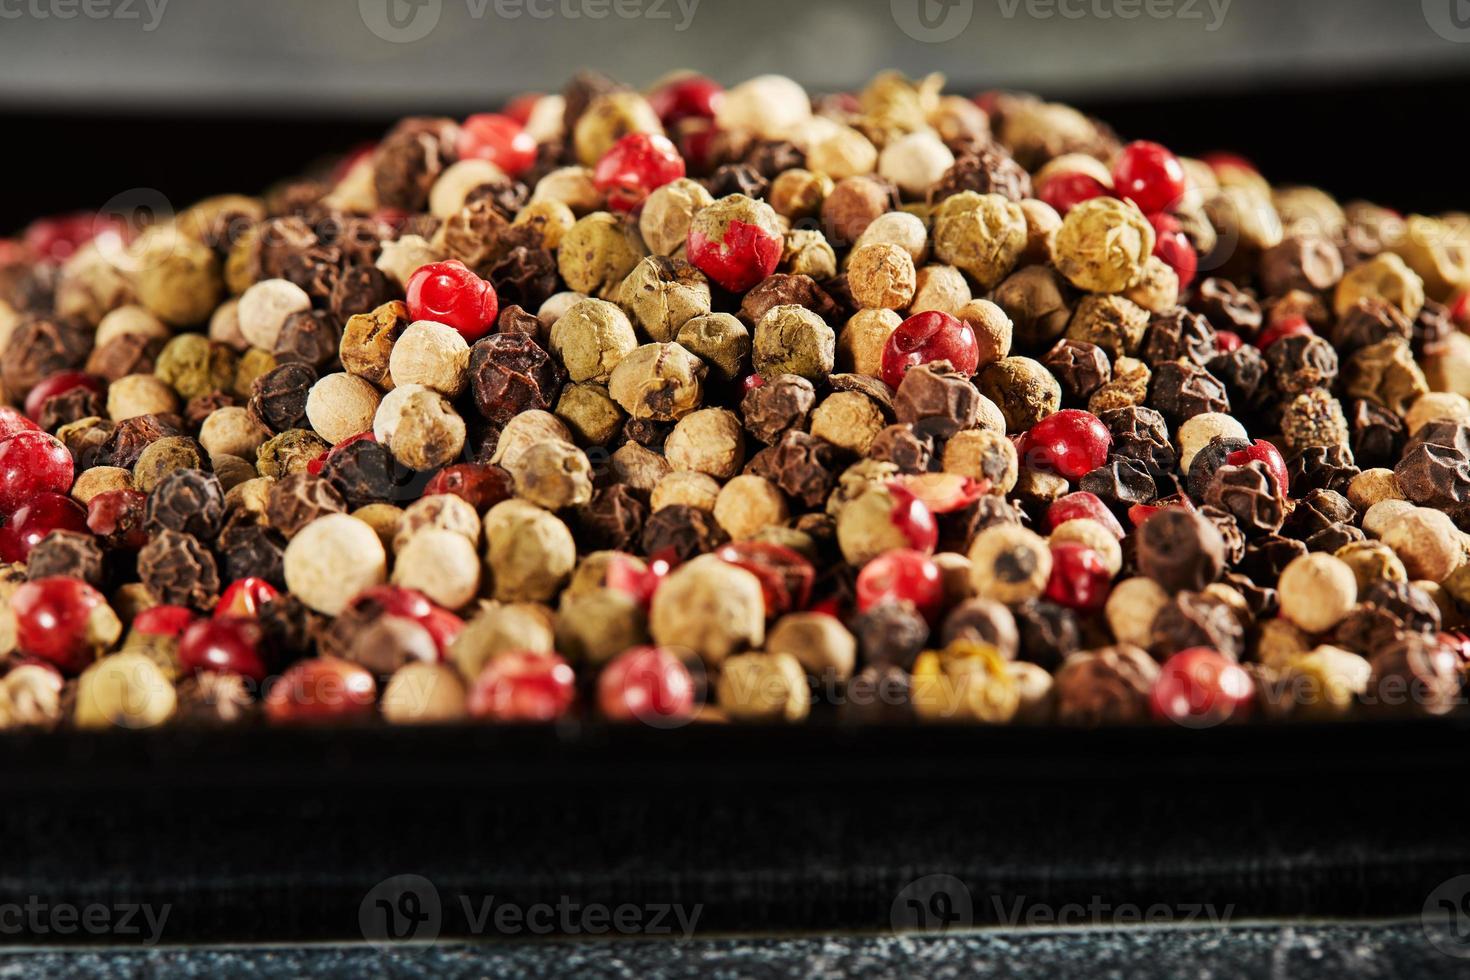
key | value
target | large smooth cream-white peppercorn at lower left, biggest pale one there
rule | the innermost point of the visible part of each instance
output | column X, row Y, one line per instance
column 331, row 561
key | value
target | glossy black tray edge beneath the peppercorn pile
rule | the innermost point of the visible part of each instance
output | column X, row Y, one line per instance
column 282, row 835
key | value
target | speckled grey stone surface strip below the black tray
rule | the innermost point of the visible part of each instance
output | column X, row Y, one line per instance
column 1263, row 950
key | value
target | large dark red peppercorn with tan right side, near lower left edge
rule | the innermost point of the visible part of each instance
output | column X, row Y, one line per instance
column 64, row 622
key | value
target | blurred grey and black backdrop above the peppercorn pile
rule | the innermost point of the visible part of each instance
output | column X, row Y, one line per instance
column 202, row 96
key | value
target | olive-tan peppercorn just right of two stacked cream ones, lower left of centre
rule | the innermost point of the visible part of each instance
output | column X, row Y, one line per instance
column 528, row 550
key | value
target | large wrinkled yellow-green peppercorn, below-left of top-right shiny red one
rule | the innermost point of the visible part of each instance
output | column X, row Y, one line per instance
column 1103, row 245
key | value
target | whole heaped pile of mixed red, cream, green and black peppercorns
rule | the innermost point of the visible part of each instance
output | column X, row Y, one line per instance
column 736, row 405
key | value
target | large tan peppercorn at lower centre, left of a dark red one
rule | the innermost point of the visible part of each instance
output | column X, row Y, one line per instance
column 711, row 608
